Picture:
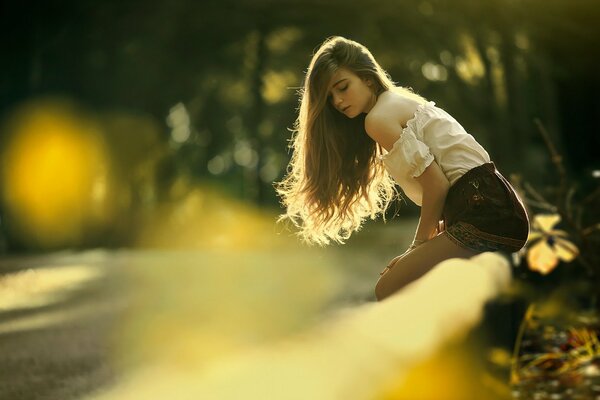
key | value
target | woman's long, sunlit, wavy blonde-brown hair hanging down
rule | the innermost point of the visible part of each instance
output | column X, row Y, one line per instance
column 333, row 181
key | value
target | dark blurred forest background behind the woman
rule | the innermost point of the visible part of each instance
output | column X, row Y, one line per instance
column 204, row 92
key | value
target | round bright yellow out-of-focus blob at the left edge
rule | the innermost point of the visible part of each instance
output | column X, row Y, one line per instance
column 54, row 174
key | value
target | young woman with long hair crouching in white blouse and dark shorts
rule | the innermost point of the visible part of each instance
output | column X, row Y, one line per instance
column 358, row 134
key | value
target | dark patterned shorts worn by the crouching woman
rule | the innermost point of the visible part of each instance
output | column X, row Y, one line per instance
column 482, row 212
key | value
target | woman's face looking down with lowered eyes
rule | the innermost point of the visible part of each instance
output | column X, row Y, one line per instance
column 349, row 94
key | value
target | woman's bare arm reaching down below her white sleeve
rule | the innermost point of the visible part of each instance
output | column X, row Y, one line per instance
column 435, row 186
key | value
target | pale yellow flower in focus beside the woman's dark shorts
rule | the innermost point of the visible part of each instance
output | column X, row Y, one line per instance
column 551, row 245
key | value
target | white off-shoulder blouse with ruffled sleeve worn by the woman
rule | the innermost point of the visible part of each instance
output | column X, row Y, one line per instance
column 431, row 134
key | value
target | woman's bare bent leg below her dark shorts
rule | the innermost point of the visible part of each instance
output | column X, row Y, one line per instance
column 418, row 262
